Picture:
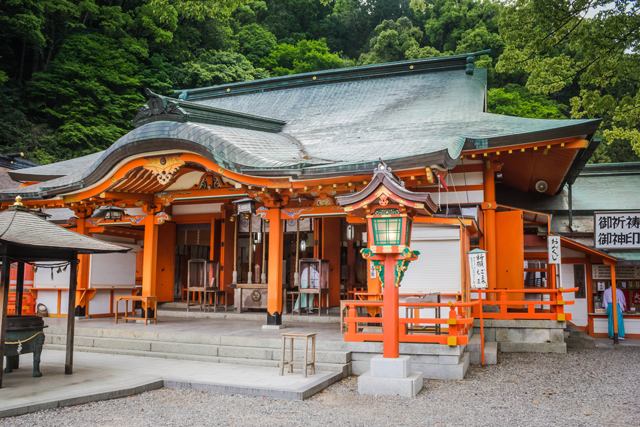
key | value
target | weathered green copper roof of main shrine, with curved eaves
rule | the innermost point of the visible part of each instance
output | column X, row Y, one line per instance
column 410, row 113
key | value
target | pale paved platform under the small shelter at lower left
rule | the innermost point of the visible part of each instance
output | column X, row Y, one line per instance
column 104, row 376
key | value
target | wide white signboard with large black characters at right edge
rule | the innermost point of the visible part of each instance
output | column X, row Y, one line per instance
column 617, row 230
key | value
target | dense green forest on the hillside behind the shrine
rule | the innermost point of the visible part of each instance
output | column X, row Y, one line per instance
column 73, row 72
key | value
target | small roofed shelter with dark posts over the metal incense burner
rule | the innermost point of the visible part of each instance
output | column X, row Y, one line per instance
column 27, row 238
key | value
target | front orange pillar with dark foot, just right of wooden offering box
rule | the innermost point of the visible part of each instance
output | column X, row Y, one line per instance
column 274, row 279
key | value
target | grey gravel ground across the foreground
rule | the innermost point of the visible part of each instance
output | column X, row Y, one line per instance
column 583, row 387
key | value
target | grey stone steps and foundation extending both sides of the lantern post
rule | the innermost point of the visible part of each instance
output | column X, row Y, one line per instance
column 433, row 360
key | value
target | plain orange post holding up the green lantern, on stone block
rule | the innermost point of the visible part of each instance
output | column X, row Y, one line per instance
column 390, row 331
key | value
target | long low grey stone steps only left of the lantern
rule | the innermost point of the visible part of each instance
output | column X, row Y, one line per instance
column 205, row 348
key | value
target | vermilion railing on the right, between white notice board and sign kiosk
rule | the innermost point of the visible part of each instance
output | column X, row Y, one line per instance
column 552, row 309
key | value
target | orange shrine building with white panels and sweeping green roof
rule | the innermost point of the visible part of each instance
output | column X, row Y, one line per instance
column 246, row 176
